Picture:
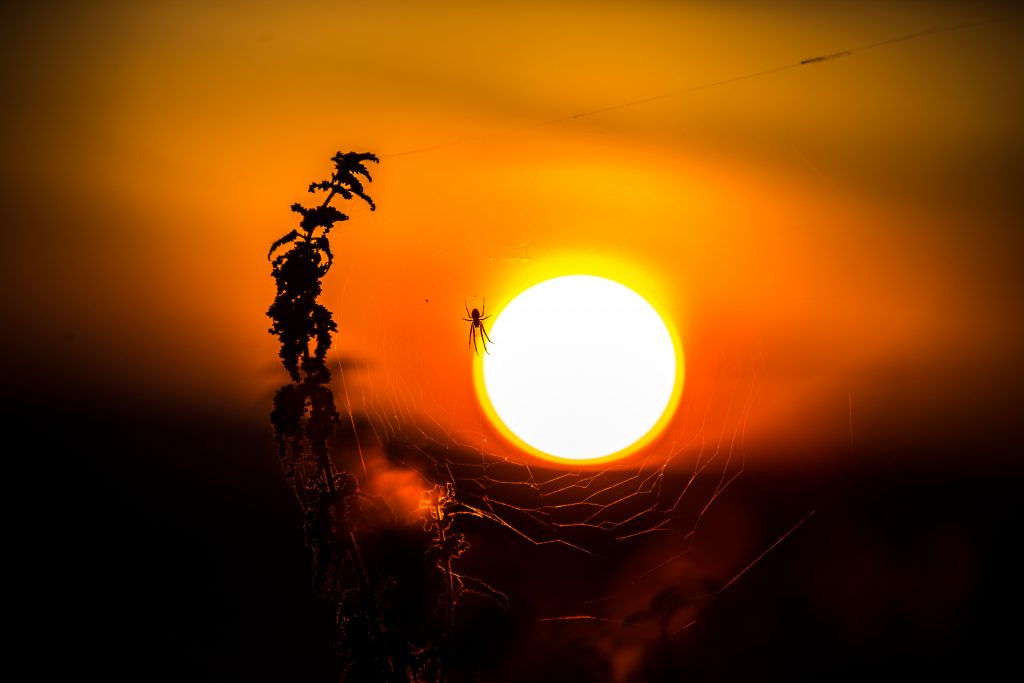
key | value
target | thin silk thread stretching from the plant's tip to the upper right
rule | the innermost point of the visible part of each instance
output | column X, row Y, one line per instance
column 704, row 87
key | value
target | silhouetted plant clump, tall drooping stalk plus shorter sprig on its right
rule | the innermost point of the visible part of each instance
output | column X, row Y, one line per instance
column 380, row 637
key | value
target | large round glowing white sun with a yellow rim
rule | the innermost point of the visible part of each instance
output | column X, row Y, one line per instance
column 582, row 369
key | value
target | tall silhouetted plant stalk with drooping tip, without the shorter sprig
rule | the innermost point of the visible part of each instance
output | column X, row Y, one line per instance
column 305, row 417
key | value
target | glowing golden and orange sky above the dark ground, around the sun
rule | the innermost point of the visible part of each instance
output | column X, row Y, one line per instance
column 837, row 243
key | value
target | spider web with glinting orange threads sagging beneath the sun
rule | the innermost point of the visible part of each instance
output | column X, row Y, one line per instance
column 661, row 497
